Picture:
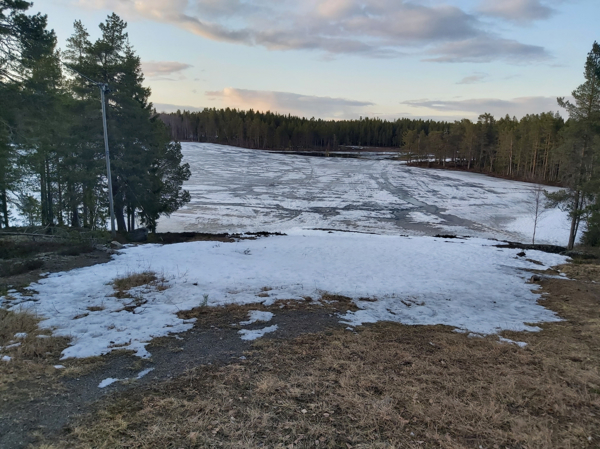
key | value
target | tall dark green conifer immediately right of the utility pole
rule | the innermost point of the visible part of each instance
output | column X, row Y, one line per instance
column 146, row 167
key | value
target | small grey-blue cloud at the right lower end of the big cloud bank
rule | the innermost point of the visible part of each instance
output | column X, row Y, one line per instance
column 488, row 49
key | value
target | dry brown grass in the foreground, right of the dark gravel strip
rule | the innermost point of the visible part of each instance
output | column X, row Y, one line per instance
column 386, row 386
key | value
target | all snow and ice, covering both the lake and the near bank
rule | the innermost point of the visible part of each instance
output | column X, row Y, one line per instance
column 468, row 283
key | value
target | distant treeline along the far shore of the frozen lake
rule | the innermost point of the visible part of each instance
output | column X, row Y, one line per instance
column 529, row 148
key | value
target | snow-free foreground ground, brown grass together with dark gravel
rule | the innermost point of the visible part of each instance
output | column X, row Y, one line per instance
column 314, row 384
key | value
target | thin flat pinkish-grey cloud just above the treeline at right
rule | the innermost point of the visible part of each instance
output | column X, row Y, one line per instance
column 518, row 107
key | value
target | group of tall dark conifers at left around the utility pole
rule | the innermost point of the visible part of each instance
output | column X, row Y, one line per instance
column 51, row 131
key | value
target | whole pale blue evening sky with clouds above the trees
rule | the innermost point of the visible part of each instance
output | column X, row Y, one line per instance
column 345, row 59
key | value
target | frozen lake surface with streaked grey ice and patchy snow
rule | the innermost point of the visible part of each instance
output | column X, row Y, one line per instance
column 239, row 190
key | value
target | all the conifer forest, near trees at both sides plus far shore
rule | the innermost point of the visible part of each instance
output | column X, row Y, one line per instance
column 51, row 134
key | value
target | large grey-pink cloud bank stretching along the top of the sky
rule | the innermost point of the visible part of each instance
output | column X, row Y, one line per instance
column 369, row 28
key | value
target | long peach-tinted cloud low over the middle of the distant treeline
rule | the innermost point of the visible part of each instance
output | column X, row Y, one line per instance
column 290, row 103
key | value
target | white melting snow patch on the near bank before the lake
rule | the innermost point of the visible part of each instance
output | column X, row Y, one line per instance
column 469, row 284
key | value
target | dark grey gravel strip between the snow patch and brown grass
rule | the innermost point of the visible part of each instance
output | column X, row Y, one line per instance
column 45, row 406
